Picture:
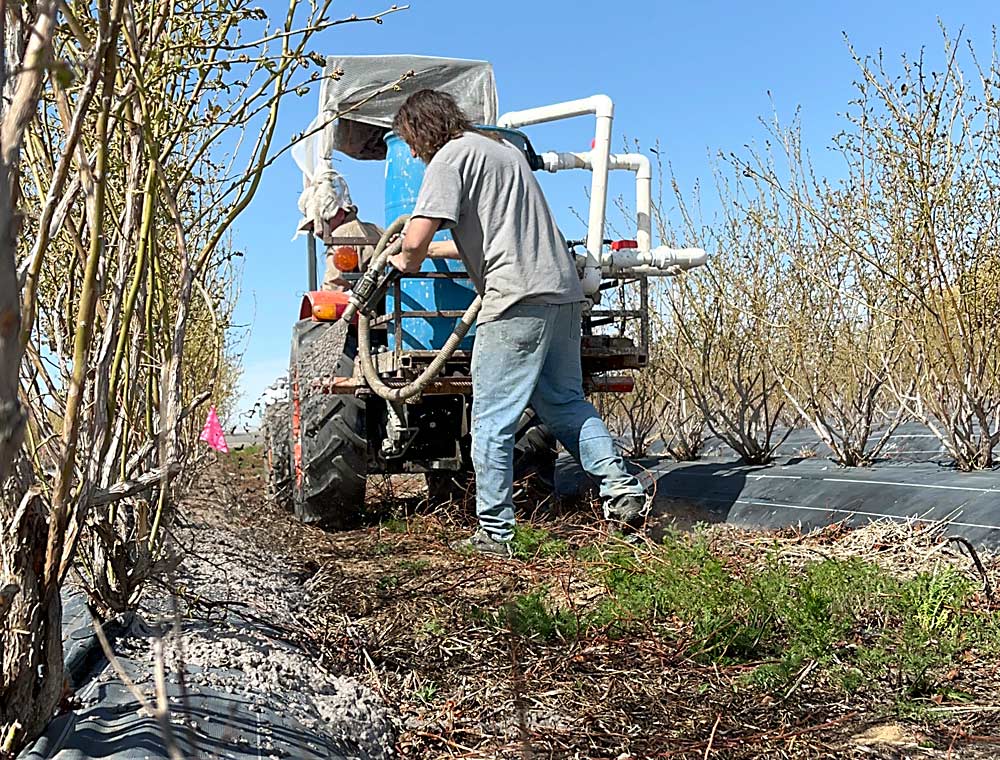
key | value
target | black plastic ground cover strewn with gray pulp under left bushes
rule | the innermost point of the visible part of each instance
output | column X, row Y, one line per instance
column 248, row 689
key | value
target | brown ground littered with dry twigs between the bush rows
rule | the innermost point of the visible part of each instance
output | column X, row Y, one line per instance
column 466, row 671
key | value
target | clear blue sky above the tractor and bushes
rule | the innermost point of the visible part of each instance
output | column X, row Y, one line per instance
column 695, row 76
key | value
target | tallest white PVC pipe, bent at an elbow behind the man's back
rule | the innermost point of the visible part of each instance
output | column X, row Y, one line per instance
column 603, row 108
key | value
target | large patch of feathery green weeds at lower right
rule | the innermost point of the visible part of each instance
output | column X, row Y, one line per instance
column 850, row 622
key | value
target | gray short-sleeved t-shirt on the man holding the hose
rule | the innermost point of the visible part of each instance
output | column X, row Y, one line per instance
column 484, row 191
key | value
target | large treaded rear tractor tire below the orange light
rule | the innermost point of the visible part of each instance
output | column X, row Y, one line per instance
column 328, row 442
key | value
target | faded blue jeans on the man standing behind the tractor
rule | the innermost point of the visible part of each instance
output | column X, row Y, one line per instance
column 531, row 355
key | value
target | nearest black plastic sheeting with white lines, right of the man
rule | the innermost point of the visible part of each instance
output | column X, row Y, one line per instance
column 812, row 493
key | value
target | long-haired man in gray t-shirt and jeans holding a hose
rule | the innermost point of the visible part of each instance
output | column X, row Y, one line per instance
column 527, row 348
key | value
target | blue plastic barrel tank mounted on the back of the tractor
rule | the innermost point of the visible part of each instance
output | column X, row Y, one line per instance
column 403, row 176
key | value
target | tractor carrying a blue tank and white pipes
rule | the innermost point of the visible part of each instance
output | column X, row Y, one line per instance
column 379, row 377
